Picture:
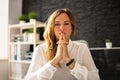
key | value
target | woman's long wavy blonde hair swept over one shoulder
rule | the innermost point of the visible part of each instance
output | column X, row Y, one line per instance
column 49, row 36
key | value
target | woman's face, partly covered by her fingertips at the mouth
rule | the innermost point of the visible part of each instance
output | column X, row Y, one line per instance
column 62, row 25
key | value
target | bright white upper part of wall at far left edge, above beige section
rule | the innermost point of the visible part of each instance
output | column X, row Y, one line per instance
column 4, row 29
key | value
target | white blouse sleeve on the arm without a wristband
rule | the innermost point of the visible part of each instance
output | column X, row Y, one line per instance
column 38, row 71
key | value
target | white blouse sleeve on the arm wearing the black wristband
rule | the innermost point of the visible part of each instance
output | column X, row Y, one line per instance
column 87, row 70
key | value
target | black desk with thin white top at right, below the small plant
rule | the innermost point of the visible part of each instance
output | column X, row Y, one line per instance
column 106, row 60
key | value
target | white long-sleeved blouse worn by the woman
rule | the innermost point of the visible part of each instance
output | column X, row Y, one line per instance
column 84, row 68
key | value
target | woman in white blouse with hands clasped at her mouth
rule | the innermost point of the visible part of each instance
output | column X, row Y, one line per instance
column 59, row 58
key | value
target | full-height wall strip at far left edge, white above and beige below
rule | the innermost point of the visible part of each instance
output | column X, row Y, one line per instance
column 4, row 39
